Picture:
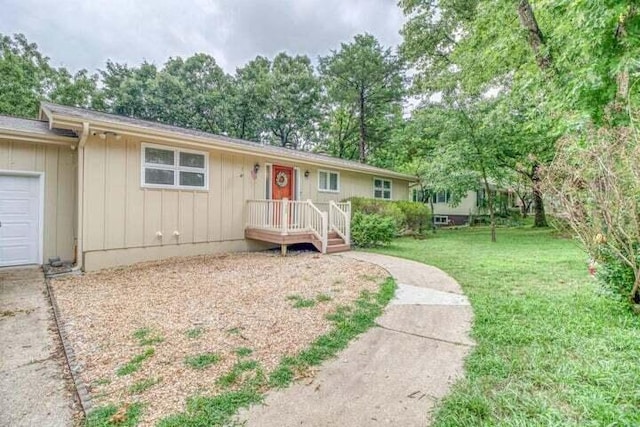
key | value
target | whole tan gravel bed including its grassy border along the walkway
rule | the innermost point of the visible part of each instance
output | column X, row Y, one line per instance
column 189, row 340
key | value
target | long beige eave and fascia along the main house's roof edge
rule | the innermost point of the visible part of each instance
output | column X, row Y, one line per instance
column 75, row 123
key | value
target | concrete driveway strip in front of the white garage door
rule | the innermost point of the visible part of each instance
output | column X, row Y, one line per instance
column 33, row 390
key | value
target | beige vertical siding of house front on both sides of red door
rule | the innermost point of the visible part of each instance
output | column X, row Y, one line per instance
column 123, row 220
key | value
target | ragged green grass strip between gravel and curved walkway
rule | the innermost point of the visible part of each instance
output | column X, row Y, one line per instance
column 248, row 389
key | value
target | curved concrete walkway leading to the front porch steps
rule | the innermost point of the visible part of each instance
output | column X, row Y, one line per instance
column 394, row 373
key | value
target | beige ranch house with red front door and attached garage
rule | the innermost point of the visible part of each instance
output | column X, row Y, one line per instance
column 103, row 190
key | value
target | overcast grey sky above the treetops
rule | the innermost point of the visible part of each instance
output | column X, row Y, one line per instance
column 85, row 33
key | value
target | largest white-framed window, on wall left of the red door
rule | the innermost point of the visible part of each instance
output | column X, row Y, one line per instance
column 168, row 167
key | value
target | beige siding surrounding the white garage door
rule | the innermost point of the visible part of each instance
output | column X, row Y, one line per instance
column 59, row 165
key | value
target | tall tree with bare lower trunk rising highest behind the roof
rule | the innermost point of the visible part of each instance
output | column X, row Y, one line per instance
column 365, row 80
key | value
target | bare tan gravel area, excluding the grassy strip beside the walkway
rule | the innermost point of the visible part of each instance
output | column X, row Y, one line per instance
column 231, row 306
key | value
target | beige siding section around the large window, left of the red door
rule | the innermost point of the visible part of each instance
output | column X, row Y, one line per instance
column 119, row 213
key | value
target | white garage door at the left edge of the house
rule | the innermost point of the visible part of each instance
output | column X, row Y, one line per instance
column 19, row 220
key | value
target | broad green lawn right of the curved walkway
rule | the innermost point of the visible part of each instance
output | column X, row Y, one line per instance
column 552, row 349
